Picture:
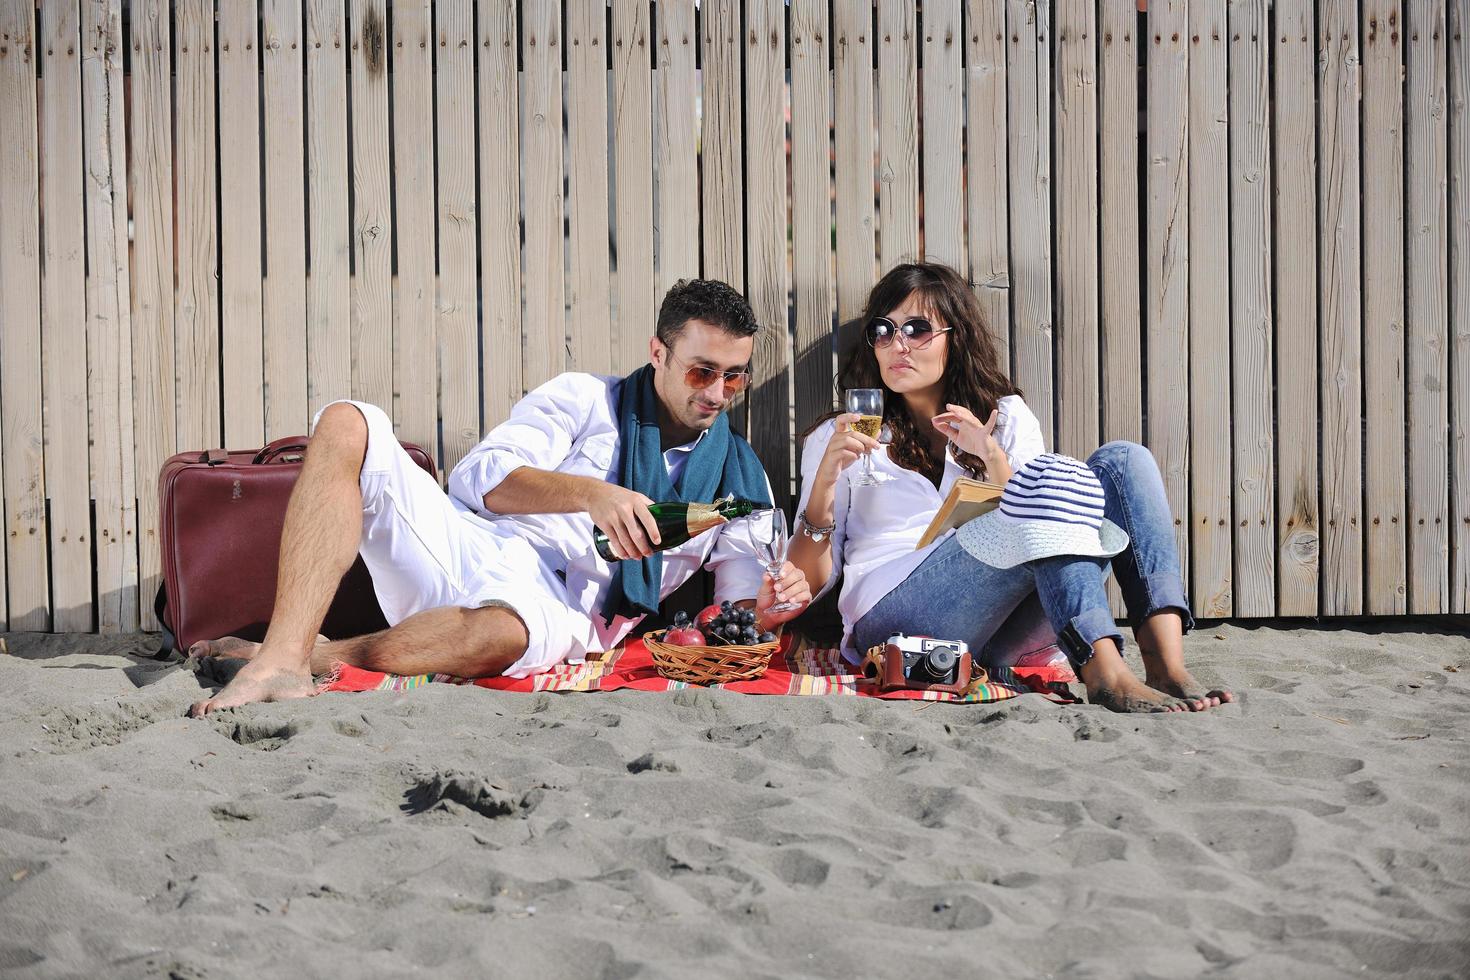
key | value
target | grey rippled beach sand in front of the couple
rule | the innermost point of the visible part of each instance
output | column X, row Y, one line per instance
column 1321, row 828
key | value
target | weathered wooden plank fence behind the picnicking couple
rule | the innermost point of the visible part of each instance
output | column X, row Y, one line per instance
column 1236, row 230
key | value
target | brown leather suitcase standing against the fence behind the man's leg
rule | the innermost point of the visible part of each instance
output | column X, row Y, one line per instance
column 221, row 515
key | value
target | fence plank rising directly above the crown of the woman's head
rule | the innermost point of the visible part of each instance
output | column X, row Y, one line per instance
column 943, row 148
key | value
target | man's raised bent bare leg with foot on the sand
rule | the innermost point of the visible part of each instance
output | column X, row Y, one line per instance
column 318, row 544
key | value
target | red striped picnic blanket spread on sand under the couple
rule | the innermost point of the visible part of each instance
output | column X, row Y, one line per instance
column 802, row 671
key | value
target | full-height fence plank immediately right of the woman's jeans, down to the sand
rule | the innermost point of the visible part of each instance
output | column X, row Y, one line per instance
column 1209, row 309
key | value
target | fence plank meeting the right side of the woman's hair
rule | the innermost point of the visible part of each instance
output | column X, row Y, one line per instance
column 987, row 173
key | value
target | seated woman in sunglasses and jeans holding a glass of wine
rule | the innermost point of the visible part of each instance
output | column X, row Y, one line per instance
column 1021, row 578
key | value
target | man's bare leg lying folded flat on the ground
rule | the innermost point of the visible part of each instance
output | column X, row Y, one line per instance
column 445, row 641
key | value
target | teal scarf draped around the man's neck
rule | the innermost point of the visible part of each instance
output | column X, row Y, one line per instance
column 723, row 464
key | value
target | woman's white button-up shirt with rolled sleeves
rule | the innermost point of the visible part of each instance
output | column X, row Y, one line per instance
column 878, row 527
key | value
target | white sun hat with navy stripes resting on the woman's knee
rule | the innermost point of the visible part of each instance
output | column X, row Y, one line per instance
column 1052, row 506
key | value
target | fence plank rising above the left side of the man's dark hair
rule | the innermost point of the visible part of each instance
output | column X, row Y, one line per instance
column 678, row 126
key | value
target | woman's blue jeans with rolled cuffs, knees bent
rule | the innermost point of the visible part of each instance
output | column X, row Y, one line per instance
column 1008, row 613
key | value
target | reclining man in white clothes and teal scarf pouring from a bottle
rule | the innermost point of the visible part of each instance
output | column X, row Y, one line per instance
column 501, row 577
